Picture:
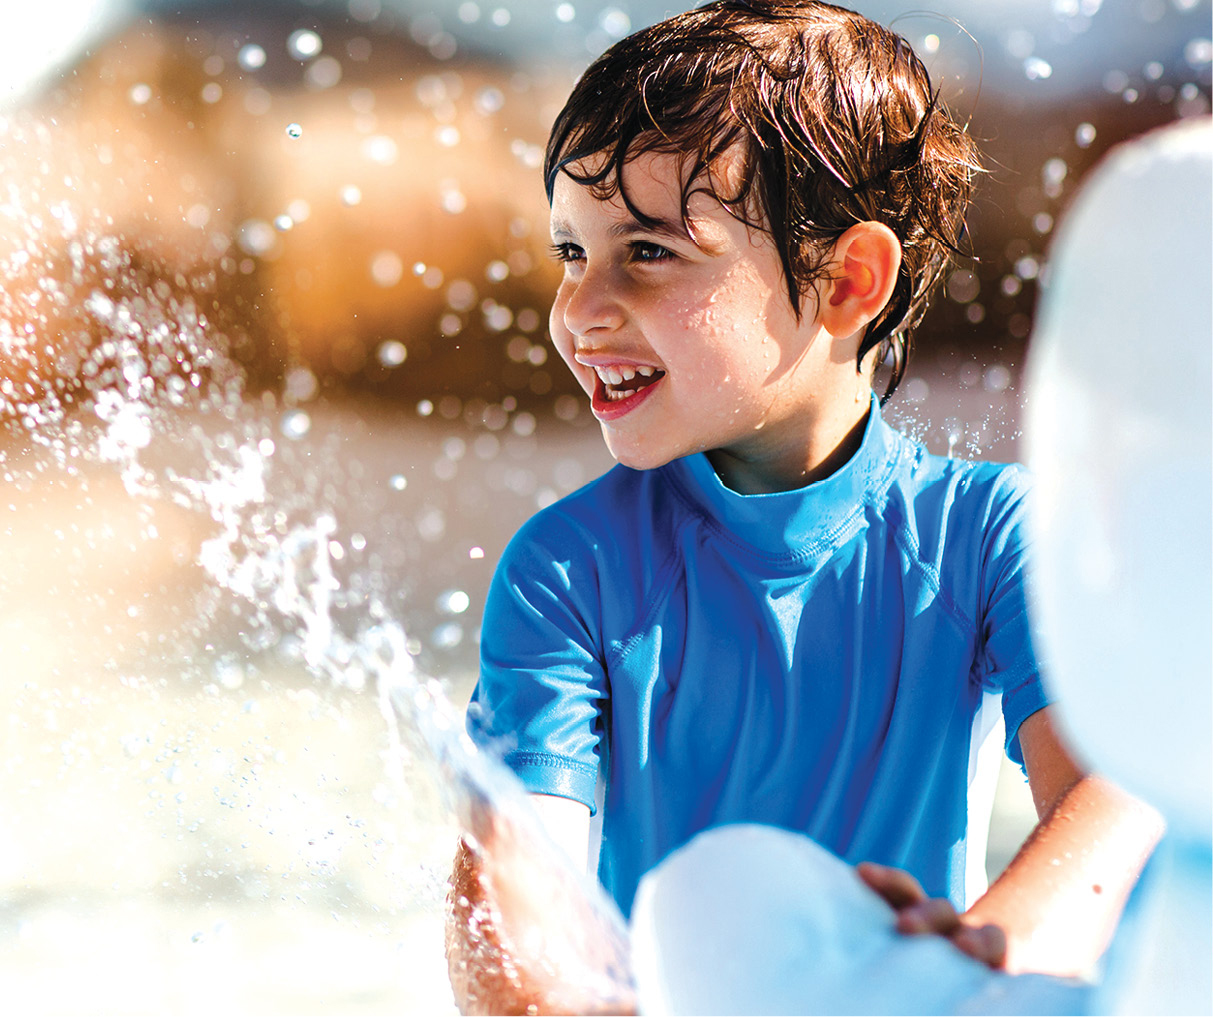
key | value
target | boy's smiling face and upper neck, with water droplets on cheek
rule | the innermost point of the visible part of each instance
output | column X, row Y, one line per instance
column 688, row 343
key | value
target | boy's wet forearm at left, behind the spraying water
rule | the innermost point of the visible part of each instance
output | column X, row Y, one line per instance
column 522, row 936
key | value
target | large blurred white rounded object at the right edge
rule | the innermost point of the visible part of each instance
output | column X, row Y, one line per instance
column 1119, row 439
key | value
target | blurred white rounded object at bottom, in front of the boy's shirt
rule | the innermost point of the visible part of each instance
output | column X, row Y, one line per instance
column 750, row 919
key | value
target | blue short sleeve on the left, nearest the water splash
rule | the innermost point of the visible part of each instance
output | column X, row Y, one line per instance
column 542, row 695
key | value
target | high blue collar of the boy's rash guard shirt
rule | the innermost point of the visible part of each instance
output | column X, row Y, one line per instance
column 794, row 521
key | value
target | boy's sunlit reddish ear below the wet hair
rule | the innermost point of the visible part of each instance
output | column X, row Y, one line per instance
column 863, row 275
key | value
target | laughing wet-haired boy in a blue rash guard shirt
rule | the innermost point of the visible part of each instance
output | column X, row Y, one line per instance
column 777, row 610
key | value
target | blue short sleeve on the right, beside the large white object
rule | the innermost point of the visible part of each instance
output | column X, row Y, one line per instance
column 1009, row 654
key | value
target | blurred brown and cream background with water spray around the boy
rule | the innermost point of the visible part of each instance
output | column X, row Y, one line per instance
column 275, row 378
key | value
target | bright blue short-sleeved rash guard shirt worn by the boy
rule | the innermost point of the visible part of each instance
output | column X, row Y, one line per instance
column 827, row 660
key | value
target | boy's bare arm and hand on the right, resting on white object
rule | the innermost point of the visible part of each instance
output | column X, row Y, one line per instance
column 1056, row 907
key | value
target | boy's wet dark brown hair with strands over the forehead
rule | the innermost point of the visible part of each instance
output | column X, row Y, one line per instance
column 836, row 122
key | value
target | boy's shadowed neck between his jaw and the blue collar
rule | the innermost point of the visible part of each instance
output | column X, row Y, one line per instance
column 824, row 448
